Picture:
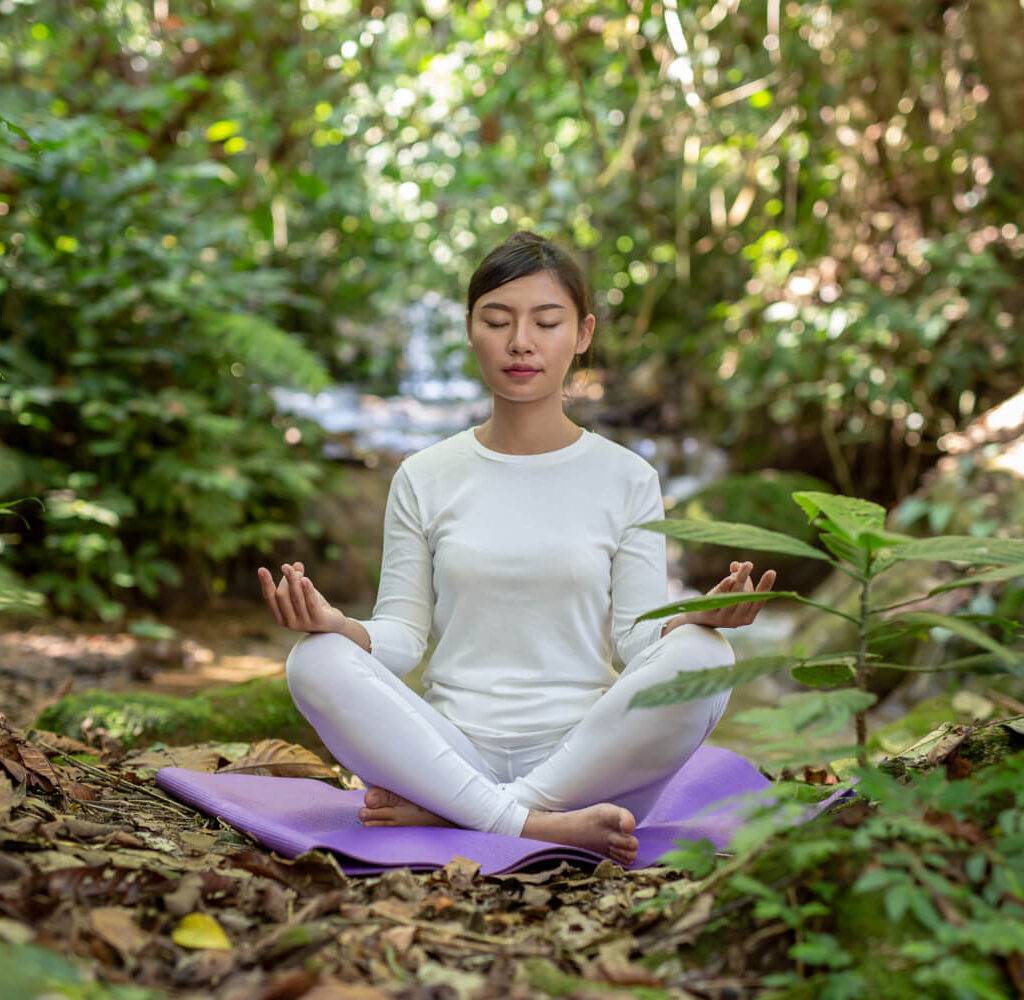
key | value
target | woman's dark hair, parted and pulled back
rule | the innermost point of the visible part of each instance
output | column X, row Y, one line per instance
column 527, row 253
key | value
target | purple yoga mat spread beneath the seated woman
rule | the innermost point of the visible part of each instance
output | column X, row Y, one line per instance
column 295, row 815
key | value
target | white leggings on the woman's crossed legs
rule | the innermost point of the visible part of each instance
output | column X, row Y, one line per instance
column 377, row 727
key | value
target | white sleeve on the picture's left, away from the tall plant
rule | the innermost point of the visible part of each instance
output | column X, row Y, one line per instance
column 404, row 611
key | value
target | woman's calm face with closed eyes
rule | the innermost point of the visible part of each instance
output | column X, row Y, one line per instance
column 531, row 323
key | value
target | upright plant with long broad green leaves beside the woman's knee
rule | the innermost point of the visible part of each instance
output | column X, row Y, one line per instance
column 855, row 541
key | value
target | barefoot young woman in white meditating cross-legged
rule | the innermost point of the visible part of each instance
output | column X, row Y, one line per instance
column 517, row 543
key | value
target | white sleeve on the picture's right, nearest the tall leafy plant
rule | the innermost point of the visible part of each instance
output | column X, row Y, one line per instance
column 639, row 573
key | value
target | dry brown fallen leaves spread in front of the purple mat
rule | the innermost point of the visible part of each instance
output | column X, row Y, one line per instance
column 97, row 858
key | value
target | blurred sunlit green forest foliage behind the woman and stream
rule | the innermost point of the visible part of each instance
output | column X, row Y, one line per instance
column 801, row 222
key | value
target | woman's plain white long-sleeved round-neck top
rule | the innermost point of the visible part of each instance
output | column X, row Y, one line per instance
column 527, row 569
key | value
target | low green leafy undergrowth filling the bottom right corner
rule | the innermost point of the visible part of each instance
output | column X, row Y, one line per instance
column 913, row 890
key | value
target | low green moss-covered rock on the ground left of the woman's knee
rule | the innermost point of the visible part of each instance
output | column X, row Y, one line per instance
column 262, row 709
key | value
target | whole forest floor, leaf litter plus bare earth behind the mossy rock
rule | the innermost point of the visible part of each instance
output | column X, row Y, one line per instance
column 109, row 888
